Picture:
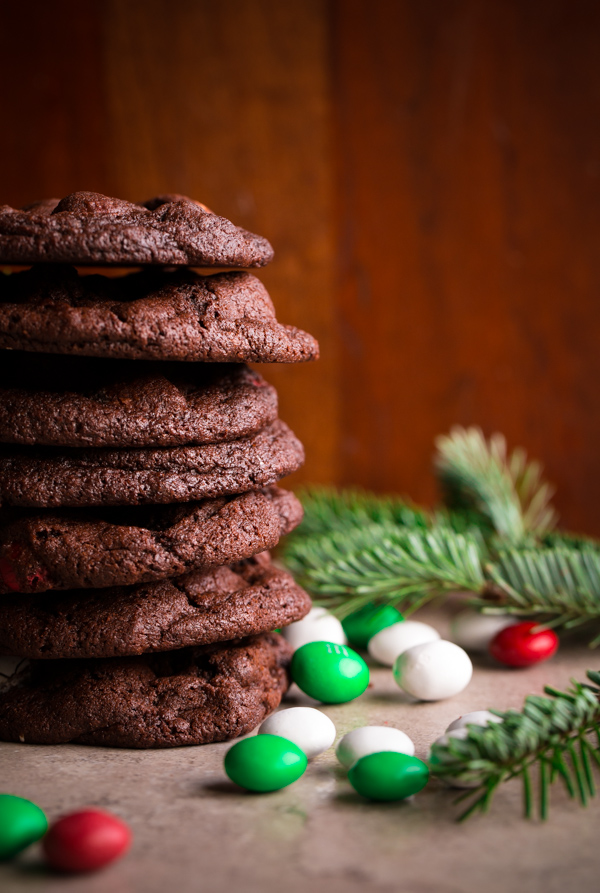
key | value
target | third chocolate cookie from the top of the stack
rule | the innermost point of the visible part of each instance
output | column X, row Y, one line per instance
column 81, row 401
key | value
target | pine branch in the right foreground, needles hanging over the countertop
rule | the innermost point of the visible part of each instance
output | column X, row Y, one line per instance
column 550, row 733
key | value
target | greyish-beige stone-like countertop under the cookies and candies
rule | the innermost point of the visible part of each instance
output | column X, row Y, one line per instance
column 194, row 831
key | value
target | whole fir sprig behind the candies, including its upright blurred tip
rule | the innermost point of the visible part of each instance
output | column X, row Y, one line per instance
column 492, row 539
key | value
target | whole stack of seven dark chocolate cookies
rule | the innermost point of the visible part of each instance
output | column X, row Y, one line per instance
column 138, row 481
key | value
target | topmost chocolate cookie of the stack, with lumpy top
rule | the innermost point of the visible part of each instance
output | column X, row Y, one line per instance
column 89, row 228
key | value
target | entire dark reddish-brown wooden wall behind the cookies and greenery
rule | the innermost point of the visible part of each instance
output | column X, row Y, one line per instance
column 427, row 170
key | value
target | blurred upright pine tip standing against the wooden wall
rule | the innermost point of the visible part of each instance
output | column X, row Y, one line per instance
column 506, row 492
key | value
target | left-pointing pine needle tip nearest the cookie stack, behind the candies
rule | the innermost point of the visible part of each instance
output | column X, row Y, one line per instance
column 385, row 563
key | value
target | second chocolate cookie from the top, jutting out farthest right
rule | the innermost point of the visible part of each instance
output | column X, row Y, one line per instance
column 151, row 315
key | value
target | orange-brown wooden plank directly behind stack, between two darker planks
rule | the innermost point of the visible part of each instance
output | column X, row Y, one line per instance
column 229, row 102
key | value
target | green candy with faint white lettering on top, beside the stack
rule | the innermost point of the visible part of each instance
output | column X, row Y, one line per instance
column 329, row 672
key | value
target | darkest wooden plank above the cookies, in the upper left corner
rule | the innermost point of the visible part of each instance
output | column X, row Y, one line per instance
column 53, row 116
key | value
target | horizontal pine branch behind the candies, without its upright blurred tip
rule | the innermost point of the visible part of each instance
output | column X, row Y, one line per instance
column 408, row 566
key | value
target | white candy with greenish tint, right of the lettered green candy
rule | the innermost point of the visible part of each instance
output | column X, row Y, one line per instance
column 433, row 671
